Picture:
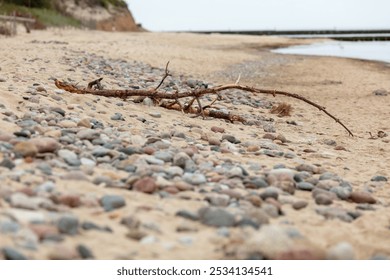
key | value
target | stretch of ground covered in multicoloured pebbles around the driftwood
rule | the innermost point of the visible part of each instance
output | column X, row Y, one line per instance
column 130, row 180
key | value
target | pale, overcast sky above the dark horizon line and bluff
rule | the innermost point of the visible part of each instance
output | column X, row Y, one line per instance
column 219, row 15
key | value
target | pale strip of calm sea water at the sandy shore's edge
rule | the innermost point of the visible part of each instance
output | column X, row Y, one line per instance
column 368, row 50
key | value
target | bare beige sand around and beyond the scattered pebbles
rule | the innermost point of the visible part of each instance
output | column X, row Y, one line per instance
column 344, row 86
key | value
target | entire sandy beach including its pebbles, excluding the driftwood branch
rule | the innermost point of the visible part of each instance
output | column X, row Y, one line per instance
column 304, row 146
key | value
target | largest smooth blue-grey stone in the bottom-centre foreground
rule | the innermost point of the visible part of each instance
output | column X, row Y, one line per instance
column 216, row 217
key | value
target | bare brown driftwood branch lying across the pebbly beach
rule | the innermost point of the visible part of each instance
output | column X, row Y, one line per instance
column 195, row 94
